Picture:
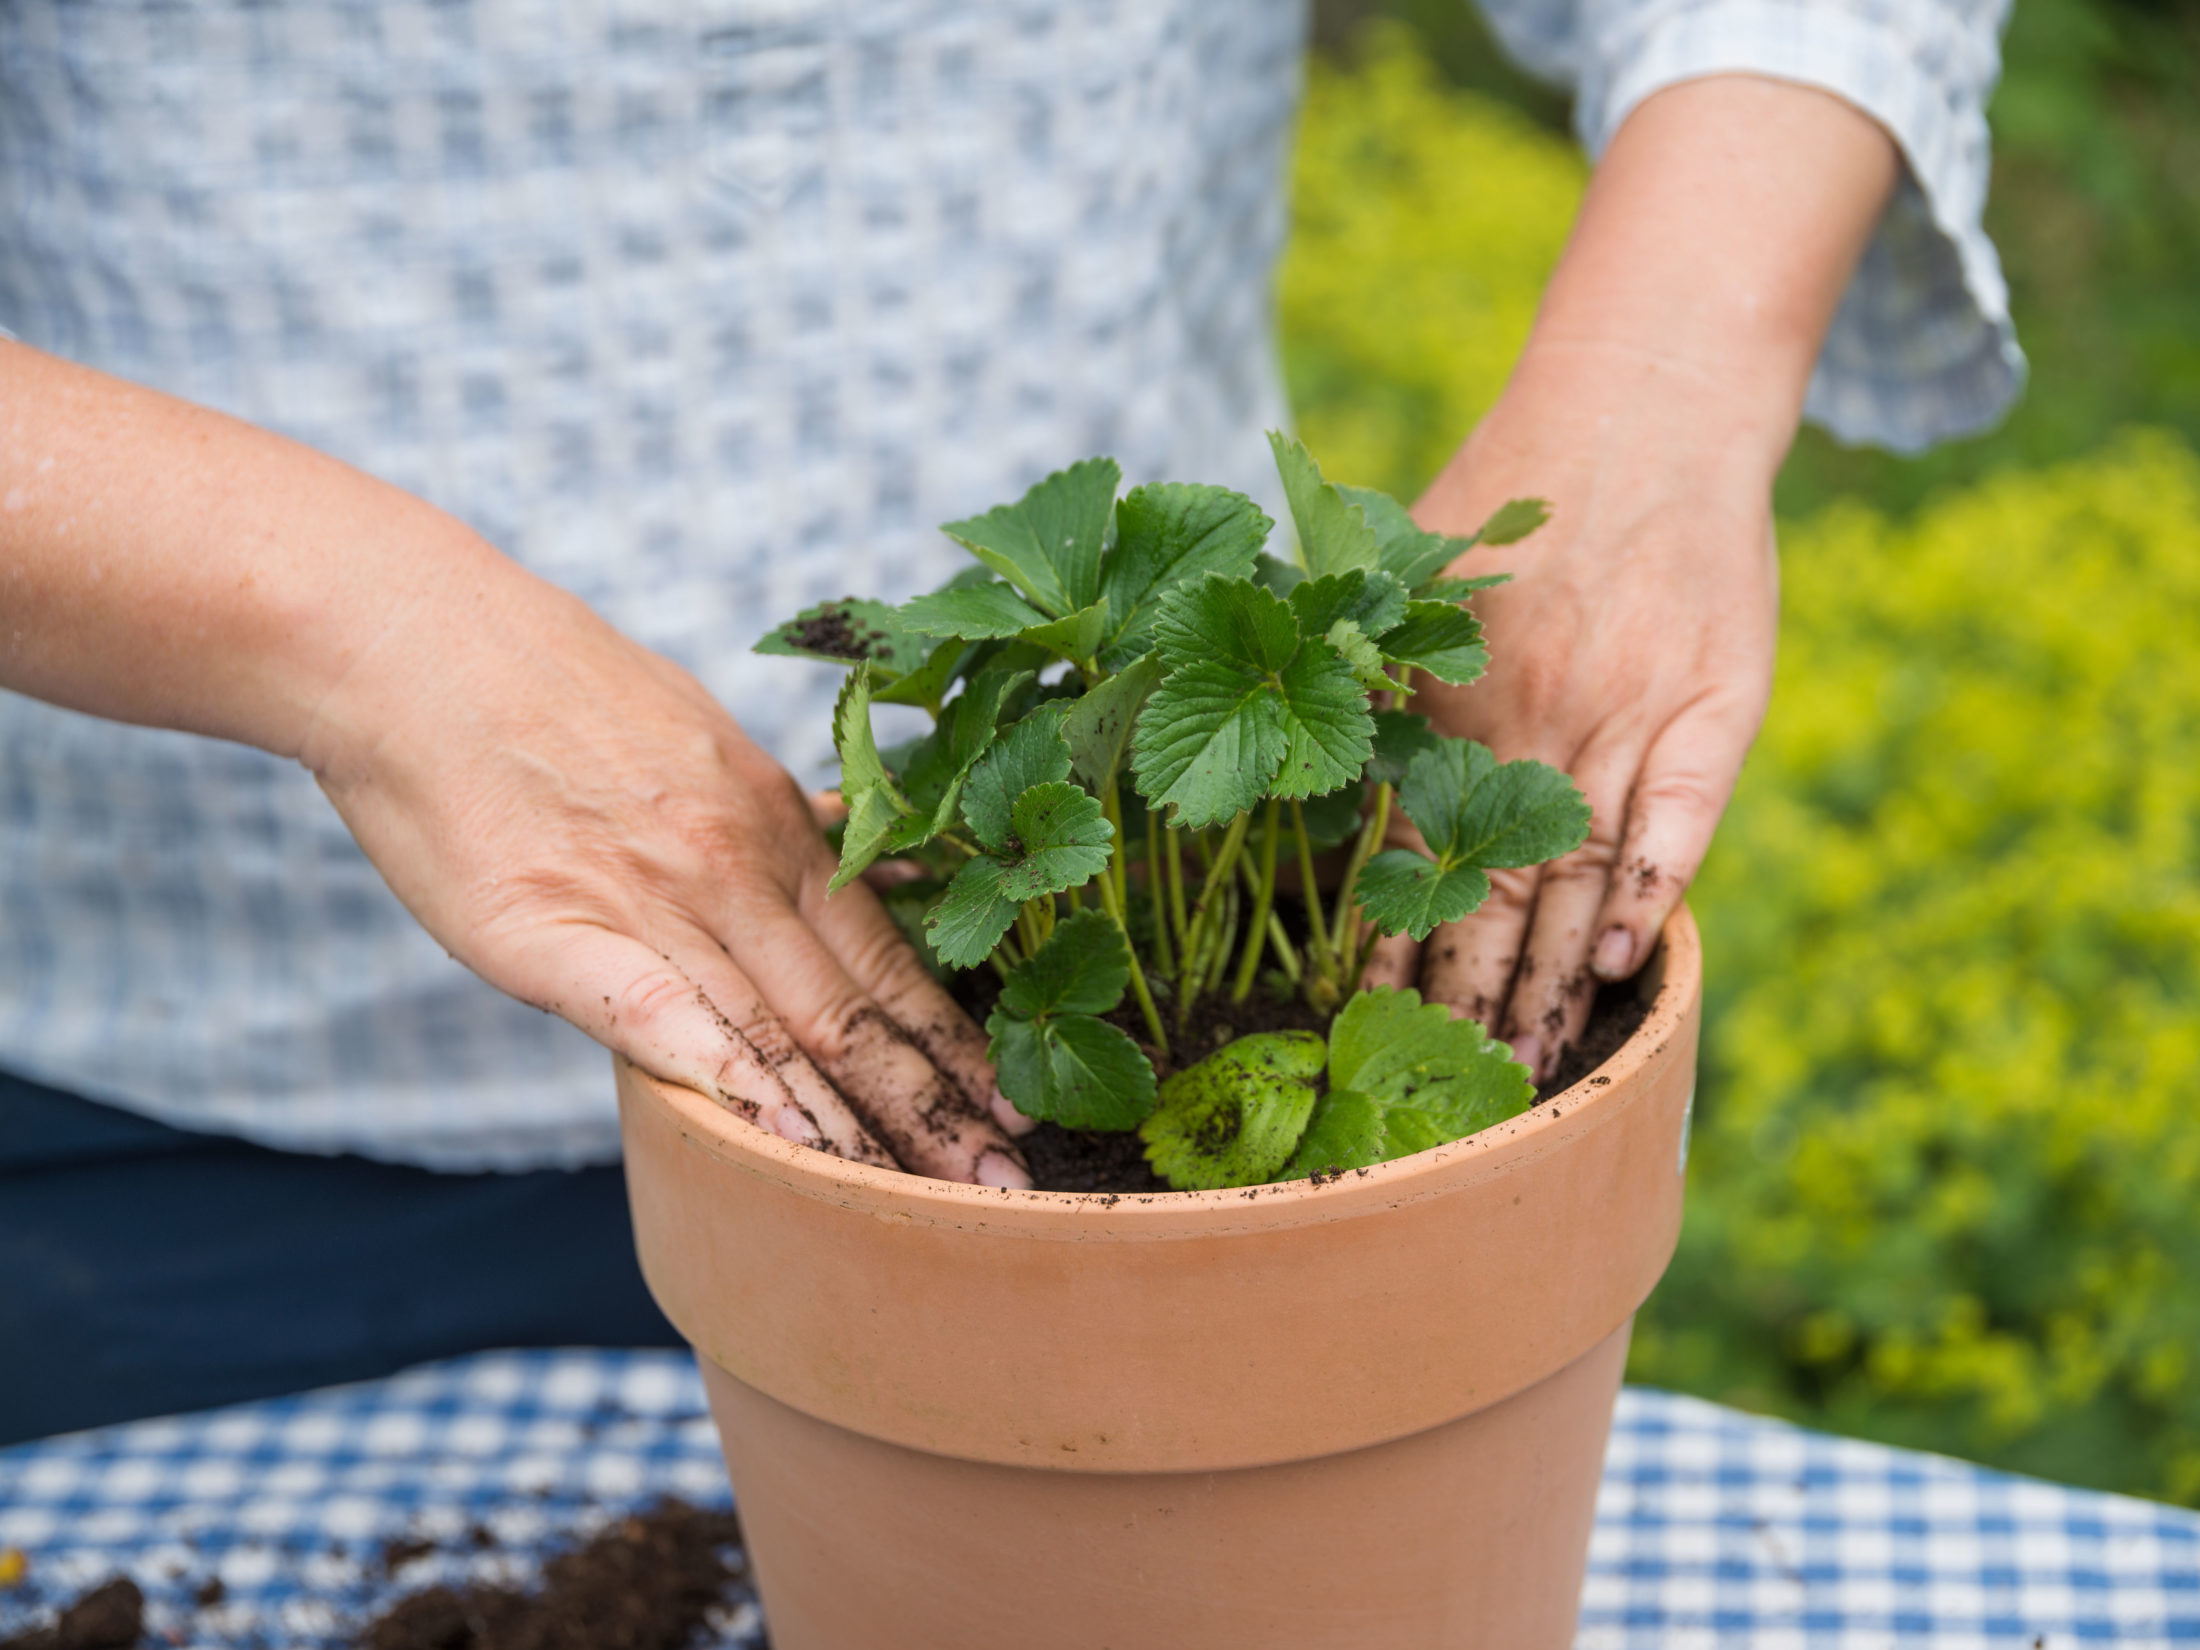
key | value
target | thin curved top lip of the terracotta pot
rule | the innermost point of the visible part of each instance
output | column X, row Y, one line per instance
column 890, row 1193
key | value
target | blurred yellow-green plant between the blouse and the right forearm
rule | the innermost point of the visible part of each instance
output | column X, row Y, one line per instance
column 1424, row 228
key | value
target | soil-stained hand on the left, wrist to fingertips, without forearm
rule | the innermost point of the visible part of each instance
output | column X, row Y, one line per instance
column 588, row 830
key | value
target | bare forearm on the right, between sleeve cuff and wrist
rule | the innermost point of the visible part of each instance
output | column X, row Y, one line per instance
column 1715, row 243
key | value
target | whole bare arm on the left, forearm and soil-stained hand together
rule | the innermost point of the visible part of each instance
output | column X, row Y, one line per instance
column 571, row 815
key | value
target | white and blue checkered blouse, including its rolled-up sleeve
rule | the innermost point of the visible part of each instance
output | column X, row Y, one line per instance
column 703, row 309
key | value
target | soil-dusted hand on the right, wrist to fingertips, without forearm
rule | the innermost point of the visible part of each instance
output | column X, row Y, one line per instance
column 1633, row 650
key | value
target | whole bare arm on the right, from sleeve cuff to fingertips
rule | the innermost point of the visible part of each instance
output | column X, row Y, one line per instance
column 1653, row 406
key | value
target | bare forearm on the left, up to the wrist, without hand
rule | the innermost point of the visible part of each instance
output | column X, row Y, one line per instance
column 170, row 566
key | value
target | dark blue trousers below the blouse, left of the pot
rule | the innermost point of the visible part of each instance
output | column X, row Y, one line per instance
column 148, row 1270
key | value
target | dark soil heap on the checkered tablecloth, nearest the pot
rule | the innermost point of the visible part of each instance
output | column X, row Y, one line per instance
column 648, row 1583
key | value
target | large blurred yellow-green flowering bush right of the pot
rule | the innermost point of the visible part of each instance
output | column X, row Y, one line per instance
column 1948, row 1158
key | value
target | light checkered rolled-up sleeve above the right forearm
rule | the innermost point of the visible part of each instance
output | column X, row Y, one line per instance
column 1922, row 349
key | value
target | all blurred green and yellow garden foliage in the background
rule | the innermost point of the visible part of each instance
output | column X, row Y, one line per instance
column 1948, row 1169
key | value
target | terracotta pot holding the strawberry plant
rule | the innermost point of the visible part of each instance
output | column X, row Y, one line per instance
column 1367, row 1413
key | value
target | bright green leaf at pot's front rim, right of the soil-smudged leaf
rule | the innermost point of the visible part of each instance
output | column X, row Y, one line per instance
column 1407, row 1077
